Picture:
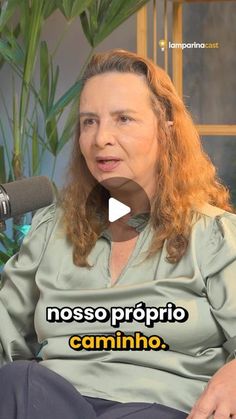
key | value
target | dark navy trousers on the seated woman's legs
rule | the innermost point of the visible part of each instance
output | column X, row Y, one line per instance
column 31, row 391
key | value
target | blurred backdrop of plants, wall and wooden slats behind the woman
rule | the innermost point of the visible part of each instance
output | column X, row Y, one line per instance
column 44, row 47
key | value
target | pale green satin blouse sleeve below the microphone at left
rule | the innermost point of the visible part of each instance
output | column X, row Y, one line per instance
column 19, row 293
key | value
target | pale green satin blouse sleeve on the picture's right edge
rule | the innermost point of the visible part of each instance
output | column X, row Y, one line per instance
column 220, row 275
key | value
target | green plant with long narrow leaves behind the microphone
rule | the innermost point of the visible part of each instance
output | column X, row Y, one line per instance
column 35, row 114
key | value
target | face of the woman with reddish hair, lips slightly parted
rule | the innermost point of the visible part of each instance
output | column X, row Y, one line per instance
column 118, row 128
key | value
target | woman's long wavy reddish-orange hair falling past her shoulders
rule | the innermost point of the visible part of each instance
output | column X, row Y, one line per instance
column 185, row 176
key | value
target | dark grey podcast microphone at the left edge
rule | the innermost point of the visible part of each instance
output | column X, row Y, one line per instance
column 21, row 196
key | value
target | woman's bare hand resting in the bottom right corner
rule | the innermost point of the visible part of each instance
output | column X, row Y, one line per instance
column 219, row 397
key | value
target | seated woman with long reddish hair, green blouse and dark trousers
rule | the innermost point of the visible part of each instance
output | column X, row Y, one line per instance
column 134, row 138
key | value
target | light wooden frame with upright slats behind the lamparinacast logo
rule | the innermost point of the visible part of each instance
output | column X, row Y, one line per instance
column 177, row 53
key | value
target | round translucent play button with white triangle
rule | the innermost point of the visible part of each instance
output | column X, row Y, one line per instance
column 117, row 208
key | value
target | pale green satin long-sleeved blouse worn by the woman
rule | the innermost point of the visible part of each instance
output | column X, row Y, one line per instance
column 203, row 282
